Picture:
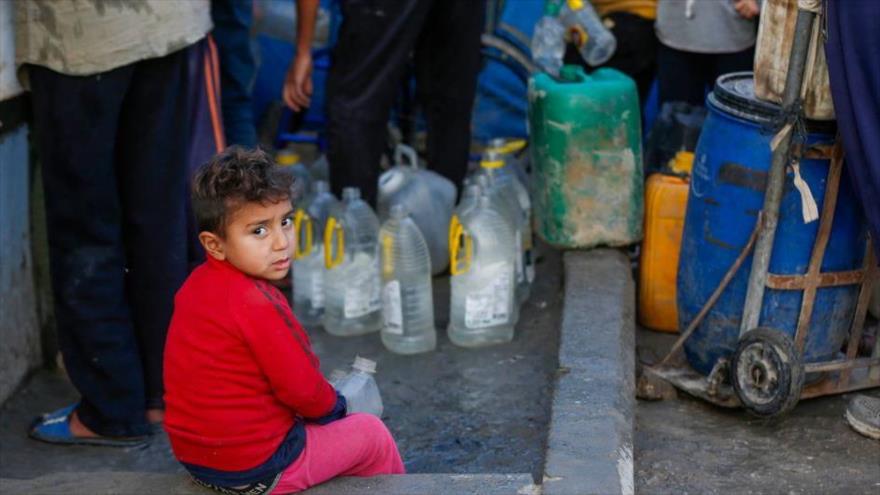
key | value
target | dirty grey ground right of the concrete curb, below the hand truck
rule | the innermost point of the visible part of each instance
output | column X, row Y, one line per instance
column 688, row 446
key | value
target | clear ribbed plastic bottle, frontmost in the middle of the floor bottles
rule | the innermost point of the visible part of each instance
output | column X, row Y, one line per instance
column 407, row 300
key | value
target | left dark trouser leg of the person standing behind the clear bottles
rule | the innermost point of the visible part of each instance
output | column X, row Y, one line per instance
column 375, row 40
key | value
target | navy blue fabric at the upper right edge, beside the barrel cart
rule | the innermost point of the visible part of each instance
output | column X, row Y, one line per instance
column 853, row 53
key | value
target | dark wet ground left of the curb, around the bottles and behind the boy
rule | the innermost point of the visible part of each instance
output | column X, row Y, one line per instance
column 454, row 410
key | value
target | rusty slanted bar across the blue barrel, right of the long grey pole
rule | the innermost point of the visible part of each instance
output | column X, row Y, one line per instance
column 814, row 271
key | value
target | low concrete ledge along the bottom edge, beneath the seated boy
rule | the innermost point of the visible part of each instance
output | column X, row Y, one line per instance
column 164, row 483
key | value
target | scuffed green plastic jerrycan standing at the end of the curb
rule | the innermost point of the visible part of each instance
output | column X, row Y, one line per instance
column 586, row 157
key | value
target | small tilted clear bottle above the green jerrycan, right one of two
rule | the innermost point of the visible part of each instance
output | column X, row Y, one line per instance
column 594, row 41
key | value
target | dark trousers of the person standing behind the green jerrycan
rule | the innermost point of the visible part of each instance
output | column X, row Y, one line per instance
column 636, row 54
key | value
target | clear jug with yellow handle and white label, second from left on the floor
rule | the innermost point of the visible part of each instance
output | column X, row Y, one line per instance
column 352, row 304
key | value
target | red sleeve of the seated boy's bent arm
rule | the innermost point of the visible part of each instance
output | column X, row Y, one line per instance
column 282, row 350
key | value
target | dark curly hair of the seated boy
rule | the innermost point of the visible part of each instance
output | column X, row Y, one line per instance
column 231, row 178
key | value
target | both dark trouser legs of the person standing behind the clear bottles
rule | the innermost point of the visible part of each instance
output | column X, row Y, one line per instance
column 375, row 41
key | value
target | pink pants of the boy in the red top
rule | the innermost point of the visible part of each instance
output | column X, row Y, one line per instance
column 356, row 445
